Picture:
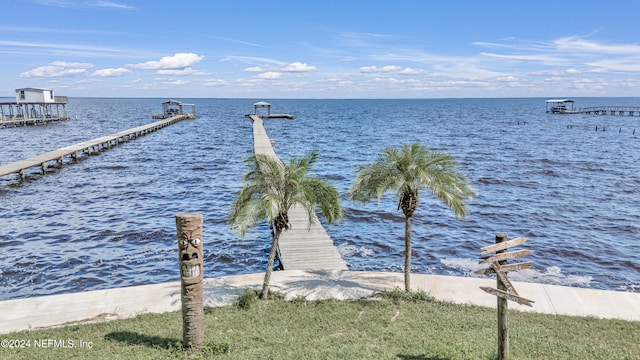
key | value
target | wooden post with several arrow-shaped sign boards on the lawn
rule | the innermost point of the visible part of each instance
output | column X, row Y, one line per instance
column 505, row 290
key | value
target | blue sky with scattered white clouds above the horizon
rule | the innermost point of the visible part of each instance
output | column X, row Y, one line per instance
column 321, row 49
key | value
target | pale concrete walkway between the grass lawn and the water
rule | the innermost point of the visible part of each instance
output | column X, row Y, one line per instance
column 100, row 305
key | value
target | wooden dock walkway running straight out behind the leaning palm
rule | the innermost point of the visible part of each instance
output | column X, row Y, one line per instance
column 304, row 246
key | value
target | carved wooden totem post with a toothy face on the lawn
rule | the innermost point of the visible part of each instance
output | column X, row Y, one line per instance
column 190, row 258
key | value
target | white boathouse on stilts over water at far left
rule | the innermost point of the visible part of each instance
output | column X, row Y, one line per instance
column 33, row 106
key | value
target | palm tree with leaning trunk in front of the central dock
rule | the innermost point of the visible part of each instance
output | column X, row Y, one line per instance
column 271, row 189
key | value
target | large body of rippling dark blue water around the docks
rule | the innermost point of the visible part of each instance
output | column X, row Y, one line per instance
column 108, row 221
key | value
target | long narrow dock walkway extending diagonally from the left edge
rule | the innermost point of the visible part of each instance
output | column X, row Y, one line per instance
column 88, row 147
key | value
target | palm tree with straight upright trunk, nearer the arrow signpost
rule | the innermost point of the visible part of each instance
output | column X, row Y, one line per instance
column 405, row 171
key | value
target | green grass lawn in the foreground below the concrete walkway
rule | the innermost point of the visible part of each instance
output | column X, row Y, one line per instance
column 418, row 328
